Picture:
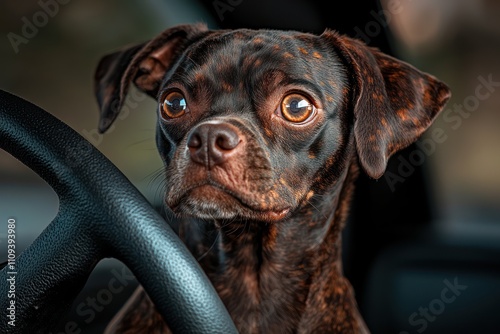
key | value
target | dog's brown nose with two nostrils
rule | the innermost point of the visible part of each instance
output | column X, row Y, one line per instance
column 211, row 144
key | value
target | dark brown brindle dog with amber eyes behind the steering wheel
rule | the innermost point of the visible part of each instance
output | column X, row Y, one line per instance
column 262, row 134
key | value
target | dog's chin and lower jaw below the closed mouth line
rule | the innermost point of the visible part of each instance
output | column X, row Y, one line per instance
column 211, row 203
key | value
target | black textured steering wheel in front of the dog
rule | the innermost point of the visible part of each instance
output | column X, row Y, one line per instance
column 101, row 215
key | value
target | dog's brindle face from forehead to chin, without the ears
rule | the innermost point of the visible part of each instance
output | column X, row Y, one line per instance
column 247, row 119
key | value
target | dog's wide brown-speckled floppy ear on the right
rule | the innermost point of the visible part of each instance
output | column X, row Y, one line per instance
column 394, row 103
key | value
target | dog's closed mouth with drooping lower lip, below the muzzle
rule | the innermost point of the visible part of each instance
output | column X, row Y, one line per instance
column 211, row 200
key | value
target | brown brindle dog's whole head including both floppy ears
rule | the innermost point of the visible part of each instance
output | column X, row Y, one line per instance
column 252, row 124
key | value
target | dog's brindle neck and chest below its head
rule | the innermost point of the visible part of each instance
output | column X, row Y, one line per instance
column 267, row 274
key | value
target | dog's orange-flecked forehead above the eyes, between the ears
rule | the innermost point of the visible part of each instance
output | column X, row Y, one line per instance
column 230, row 59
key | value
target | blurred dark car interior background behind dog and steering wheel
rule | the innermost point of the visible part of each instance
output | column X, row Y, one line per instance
column 422, row 247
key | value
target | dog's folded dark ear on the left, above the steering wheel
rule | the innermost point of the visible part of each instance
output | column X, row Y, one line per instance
column 145, row 65
